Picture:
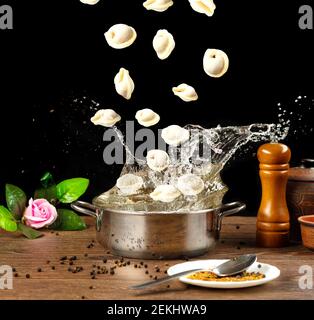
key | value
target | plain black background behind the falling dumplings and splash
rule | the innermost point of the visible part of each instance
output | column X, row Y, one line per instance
column 57, row 53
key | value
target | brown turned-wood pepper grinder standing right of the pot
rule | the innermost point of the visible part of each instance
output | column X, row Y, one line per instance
column 273, row 216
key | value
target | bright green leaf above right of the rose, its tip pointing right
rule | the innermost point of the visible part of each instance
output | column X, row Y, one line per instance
column 71, row 189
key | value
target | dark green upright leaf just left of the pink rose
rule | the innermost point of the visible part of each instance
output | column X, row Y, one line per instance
column 16, row 200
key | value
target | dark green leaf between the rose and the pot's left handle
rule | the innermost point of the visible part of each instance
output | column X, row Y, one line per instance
column 68, row 220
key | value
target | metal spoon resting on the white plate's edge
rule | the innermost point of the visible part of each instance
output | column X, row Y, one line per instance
column 228, row 268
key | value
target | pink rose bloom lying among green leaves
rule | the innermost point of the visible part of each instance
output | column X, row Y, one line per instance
column 40, row 213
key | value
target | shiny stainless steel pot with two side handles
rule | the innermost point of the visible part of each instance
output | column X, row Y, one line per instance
column 158, row 235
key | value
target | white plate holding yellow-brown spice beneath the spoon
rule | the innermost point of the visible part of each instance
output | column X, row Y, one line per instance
column 268, row 270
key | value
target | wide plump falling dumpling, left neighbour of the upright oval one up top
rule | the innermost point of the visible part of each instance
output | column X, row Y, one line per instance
column 120, row 36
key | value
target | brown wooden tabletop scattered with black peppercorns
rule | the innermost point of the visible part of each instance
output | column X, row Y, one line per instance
column 56, row 282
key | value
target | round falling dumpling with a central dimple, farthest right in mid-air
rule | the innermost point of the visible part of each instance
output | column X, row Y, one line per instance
column 215, row 62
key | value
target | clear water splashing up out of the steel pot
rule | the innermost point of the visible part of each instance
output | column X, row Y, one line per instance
column 204, row 154
